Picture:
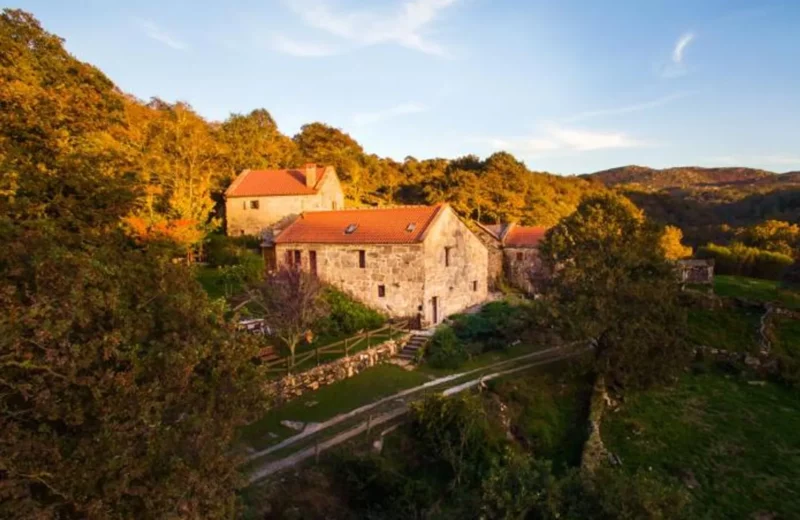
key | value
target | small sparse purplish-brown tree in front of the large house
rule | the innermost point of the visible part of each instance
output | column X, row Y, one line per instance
column 291, row 302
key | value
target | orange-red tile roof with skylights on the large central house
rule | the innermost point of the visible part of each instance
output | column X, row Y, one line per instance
column 372, row 226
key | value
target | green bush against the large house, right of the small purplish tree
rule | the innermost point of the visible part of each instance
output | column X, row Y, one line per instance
column 346, row 316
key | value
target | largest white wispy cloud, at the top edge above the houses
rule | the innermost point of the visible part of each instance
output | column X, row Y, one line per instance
column 404, row 26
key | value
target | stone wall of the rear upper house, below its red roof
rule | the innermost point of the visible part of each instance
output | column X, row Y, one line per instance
column 241, row 220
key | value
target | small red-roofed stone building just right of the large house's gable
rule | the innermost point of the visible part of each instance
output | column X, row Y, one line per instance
column 513, row 254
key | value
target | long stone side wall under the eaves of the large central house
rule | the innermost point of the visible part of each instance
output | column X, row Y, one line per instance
column 399, row 268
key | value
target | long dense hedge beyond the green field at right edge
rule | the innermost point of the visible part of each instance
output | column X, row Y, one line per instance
column 739, row 259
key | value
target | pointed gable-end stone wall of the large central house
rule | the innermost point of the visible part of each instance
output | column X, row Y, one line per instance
column 463, row 282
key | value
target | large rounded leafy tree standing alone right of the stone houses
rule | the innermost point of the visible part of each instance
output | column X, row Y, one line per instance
column 612, row 283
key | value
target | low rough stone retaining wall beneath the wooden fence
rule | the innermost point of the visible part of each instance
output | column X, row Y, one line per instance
column 295, row 385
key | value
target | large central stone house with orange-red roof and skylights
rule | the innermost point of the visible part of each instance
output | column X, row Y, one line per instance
column 419, row 262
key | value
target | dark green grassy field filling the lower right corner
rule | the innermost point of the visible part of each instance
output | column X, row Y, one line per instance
column 741, row 443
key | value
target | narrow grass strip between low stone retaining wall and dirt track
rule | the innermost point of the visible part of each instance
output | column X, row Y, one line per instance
column 329, row 401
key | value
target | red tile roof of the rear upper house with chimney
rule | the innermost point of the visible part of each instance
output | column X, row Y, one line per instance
column 256, row 183
